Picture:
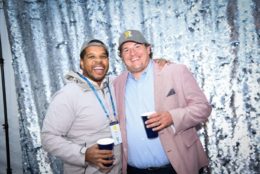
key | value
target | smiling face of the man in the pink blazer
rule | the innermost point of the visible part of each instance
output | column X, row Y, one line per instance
column 136, row 57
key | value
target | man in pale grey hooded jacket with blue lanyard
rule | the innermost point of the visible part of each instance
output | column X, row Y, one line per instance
column 81, row 113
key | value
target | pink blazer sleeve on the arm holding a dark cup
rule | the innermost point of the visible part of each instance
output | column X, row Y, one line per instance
column 196, row 108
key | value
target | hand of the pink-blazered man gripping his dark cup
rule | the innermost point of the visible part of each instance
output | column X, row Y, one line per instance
column 159, row 121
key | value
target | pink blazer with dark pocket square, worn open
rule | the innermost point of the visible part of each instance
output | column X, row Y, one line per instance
column 176, row 91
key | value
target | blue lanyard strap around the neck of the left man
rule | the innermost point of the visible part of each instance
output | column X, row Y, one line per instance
column 95, row 92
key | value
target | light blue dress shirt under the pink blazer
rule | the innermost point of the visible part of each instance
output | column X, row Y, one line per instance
column 142, row 152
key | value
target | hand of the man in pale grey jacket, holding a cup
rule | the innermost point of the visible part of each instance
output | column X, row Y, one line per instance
column 99, row 157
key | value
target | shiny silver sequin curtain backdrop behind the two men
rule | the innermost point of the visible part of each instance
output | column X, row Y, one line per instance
column 219, row 40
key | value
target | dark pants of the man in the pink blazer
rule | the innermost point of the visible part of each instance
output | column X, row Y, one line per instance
column 167, row 169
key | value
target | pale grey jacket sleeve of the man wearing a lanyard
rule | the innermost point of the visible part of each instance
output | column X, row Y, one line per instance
column 58, row 120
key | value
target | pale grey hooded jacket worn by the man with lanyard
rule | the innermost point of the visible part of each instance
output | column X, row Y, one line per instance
column 75, row 119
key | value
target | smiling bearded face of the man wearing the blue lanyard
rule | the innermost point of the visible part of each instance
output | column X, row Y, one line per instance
column 95, row 63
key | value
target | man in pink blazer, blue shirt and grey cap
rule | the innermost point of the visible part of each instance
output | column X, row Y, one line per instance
column 179, row 105
